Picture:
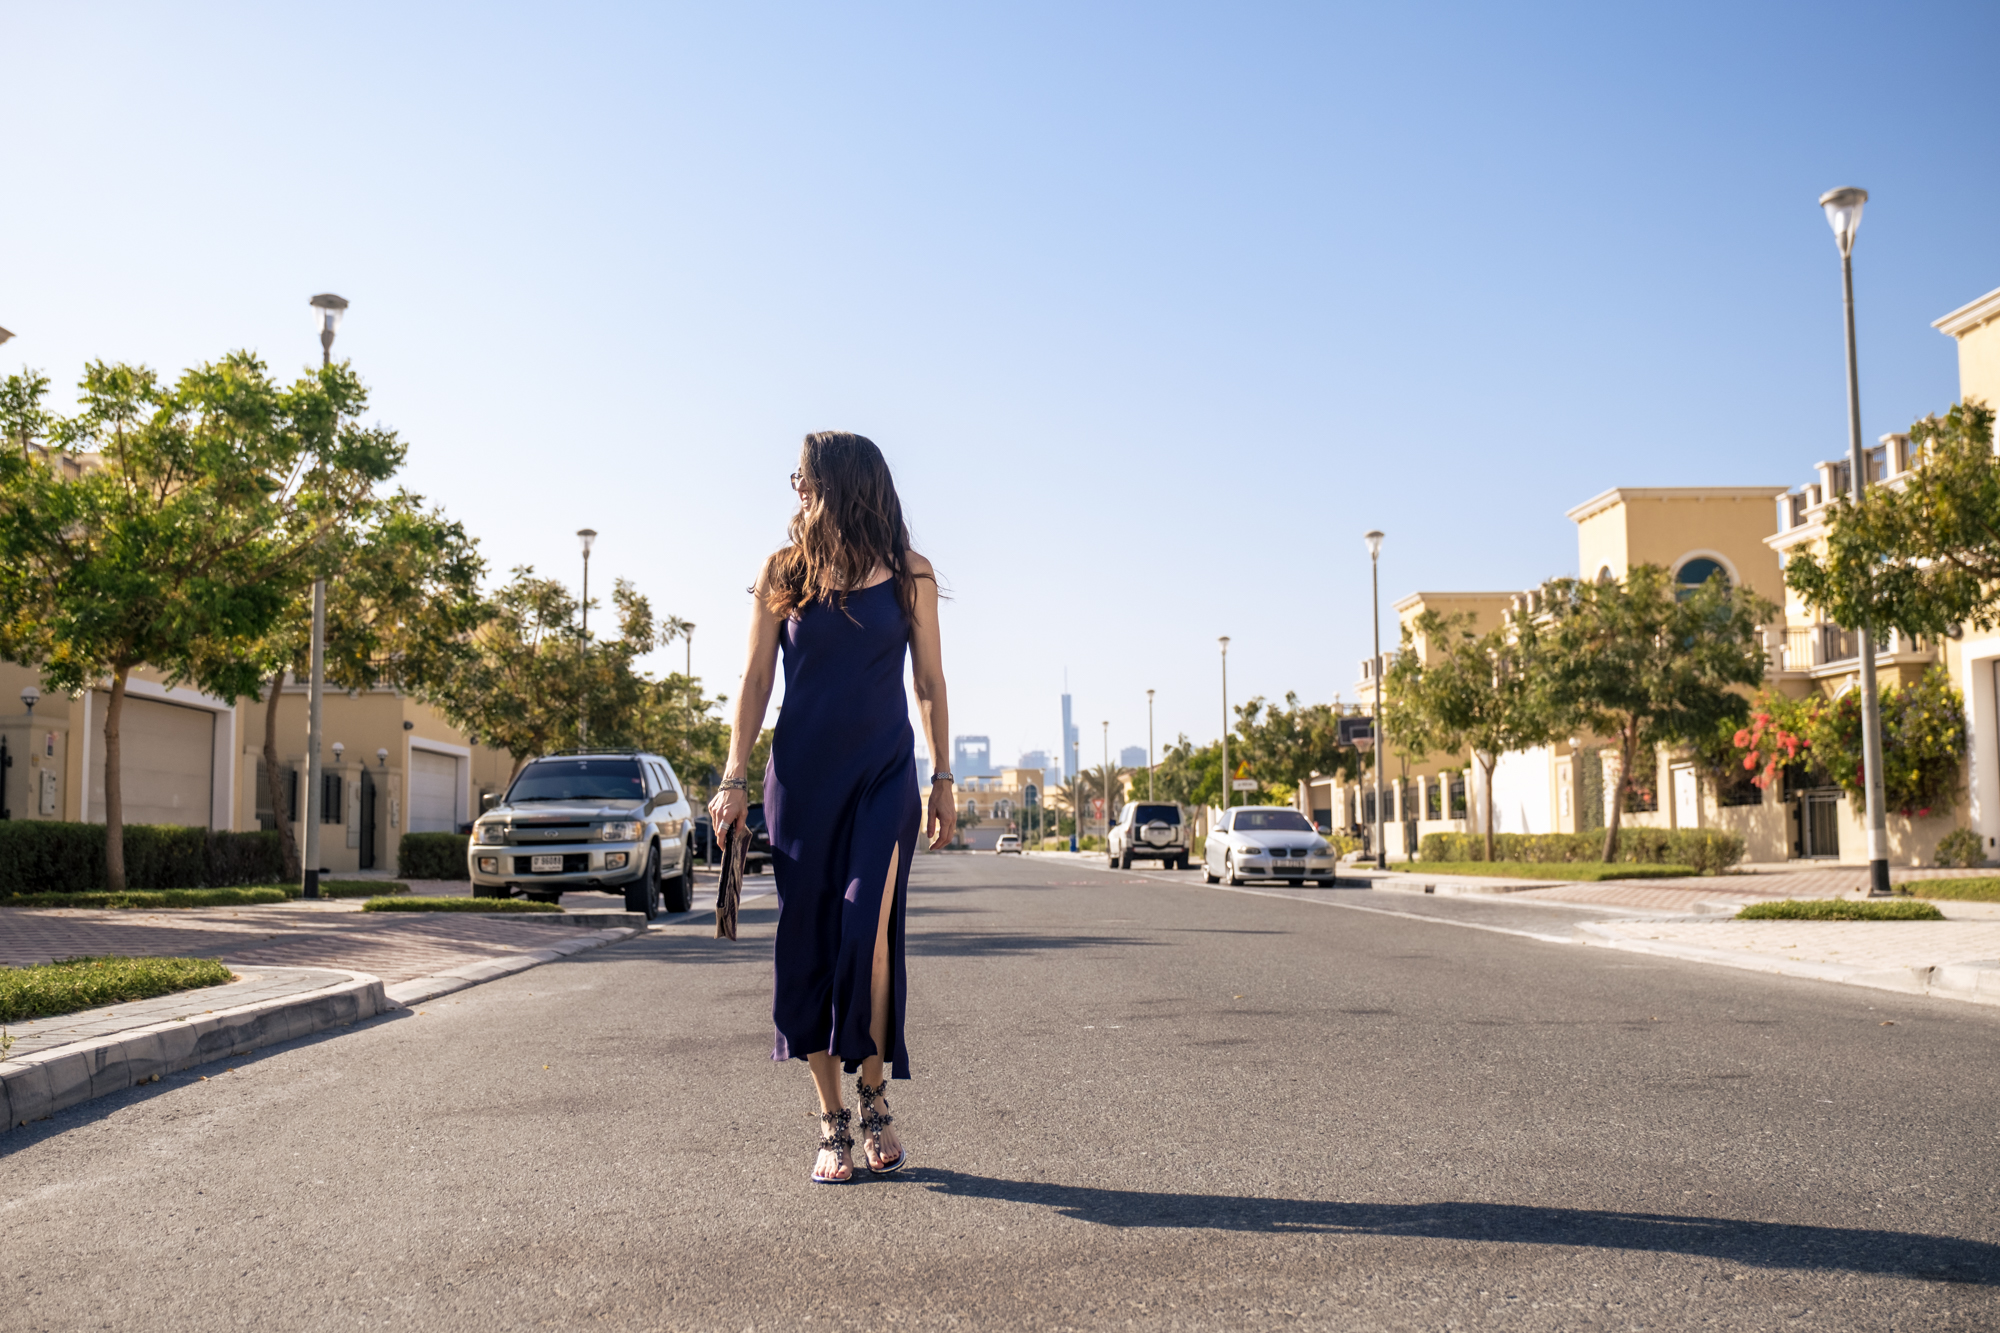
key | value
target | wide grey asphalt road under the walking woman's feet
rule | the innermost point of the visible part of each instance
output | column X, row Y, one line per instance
column 1139, row 1106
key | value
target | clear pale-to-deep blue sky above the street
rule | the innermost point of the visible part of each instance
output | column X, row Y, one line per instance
column 1153, row 307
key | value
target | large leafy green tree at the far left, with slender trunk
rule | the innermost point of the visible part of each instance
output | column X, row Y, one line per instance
column 171, row 525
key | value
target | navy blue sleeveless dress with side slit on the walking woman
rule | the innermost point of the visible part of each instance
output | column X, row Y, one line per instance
column 839, row 798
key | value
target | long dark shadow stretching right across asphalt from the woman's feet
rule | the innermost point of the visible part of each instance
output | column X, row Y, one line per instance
column 1773, row 1246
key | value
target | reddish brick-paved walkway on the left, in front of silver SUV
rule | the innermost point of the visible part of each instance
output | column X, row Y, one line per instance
column 389, row 946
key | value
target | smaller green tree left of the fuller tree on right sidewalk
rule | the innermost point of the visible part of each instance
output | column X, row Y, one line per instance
column 1479, row 694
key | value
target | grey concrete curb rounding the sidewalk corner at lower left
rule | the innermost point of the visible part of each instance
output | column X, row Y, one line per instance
column 39, row 1086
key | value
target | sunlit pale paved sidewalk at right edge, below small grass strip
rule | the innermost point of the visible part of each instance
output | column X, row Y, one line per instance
column 1847, row 944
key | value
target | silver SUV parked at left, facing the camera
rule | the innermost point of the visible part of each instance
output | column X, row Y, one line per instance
column 615, row 822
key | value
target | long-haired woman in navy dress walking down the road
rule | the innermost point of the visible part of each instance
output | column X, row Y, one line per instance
column 845, row 599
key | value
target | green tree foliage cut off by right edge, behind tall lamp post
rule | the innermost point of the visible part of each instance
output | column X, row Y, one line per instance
column 1923, row 555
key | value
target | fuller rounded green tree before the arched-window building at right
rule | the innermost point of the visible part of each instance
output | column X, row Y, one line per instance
column 1639, row 663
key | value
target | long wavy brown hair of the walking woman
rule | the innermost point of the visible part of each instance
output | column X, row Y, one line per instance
column 853, row 525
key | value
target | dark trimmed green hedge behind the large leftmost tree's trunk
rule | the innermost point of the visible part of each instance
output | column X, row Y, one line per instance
column 67, row 858
